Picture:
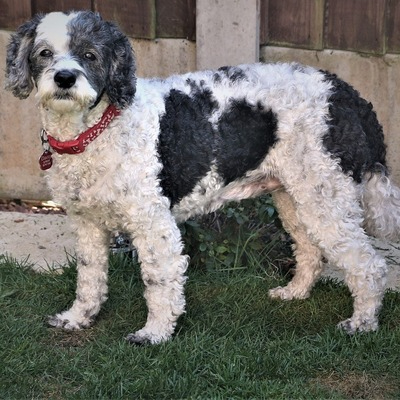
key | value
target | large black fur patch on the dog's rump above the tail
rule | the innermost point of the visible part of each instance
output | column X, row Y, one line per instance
column 355, row 136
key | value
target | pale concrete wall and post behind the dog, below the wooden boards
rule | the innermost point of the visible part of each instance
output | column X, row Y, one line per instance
column 225, row 36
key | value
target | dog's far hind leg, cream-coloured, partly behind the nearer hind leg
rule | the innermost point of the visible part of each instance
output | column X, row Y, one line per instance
column 308, row 256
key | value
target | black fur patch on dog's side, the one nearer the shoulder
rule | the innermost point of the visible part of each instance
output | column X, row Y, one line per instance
column 186, row 141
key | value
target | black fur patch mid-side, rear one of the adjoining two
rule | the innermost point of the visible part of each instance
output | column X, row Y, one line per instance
column 245, row 135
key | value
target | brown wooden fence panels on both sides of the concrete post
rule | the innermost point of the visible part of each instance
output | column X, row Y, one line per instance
column 368, row 26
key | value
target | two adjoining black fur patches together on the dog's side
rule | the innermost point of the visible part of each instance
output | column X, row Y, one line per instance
column 188, row 142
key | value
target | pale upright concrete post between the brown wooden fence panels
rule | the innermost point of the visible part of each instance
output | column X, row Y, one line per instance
column 227, row 32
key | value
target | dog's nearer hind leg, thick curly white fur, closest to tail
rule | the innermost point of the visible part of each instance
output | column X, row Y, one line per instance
column 327, row 204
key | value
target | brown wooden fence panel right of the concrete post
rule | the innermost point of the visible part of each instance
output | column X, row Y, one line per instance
column 368, row 26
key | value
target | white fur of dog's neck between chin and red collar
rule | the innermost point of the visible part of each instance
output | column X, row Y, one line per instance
column 65, row 126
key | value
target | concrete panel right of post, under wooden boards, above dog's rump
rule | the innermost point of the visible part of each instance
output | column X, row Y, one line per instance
column 374, row 77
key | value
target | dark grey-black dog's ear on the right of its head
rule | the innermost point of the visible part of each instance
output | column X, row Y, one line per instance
column 121, row 81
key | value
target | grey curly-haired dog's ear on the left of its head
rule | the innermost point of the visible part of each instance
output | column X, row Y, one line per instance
column 18, row 75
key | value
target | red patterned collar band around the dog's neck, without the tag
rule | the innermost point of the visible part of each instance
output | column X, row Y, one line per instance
column 79, row 144
